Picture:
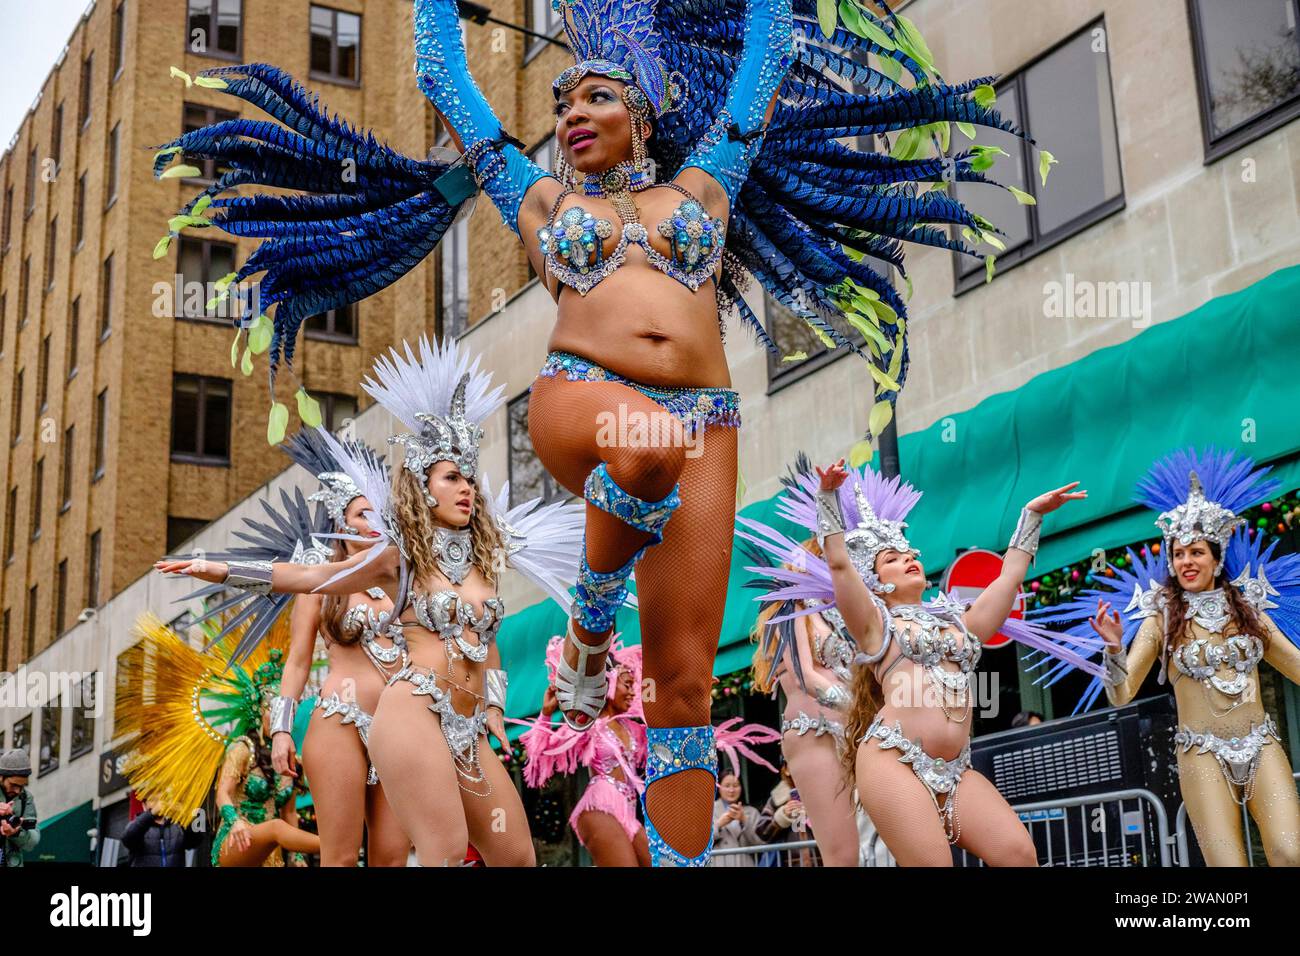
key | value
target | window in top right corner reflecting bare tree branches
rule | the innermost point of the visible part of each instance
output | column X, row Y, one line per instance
column 1247, row 70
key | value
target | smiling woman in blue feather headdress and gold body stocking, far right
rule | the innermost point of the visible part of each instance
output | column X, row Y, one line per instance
column 1215, row 607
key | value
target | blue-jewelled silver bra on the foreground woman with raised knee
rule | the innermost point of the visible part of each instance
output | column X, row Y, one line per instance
column 574, row 245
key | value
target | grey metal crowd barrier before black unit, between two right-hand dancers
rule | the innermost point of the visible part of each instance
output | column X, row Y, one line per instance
column 1065, row 838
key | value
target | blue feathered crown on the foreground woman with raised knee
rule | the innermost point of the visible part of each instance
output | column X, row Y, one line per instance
column 617, row 38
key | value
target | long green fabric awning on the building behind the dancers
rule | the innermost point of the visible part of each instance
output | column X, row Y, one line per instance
column 1223, row 375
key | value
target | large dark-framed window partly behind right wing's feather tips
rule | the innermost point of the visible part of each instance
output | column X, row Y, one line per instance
column 1064, row 98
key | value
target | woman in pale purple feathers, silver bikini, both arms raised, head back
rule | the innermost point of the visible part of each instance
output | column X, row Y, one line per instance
column 912, row 694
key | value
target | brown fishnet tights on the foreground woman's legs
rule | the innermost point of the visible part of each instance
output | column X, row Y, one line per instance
column 681, row 583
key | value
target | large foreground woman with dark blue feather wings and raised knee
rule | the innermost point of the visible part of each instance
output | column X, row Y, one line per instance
column 700, row 141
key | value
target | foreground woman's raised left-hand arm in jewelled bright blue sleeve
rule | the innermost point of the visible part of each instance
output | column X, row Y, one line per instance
column 499, row 165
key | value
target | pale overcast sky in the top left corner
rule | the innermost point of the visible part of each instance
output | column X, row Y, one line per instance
column 33, row 37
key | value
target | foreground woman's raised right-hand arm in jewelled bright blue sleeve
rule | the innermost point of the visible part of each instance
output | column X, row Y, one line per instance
column 731, row 144
